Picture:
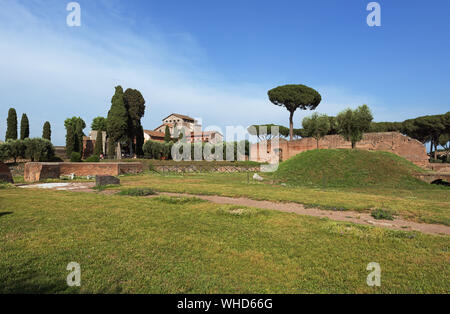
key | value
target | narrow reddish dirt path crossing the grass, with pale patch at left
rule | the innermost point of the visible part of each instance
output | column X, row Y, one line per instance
column 346, row 216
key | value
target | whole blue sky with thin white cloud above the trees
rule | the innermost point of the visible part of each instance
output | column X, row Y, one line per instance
column 217, row 59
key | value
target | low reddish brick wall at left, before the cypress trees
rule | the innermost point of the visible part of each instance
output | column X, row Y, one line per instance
column 37, row 171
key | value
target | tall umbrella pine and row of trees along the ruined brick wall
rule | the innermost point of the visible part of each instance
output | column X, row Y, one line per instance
column 351, row 124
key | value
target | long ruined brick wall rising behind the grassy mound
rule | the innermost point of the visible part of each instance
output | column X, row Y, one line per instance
column 393, row 142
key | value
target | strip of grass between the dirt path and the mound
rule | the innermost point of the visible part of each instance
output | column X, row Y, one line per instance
column 423, row 202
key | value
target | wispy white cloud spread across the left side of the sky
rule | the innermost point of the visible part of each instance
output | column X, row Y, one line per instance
column 52, row 72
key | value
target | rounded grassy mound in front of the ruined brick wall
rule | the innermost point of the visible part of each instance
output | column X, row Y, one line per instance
column 348, row 168
